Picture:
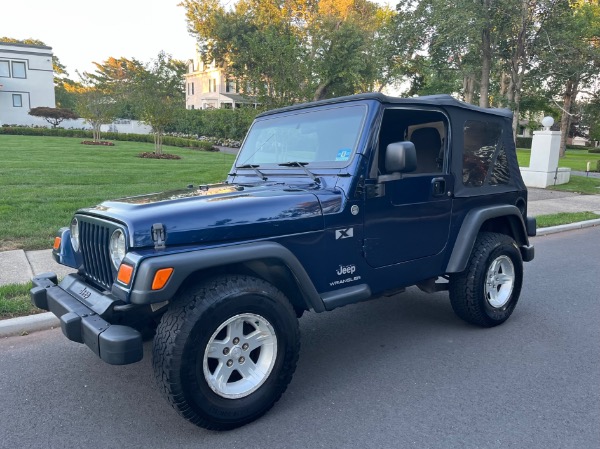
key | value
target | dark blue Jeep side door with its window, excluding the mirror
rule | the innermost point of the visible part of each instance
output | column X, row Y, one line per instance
column 408, row 218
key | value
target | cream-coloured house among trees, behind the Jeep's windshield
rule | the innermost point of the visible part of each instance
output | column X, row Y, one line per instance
column 208, row 87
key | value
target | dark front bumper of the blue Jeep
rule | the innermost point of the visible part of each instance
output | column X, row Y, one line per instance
column 78, row 306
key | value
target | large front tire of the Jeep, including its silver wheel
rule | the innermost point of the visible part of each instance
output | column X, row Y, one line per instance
column 226, row 350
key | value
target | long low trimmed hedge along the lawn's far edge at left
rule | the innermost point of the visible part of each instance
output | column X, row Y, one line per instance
column 85, row 134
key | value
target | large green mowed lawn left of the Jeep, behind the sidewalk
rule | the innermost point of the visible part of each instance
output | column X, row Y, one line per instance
column 43, row 180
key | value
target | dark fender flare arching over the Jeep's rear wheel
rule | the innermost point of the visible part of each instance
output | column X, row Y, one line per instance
column 465, row 240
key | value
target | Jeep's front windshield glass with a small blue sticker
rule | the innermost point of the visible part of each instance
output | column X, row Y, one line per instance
column 319, row 137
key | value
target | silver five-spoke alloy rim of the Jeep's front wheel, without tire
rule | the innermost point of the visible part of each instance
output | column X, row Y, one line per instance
column 240, row 355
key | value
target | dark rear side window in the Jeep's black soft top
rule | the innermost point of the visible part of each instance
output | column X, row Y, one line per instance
column 484, row 157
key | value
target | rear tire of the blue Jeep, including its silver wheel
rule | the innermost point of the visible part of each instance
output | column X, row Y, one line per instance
column 486, row 293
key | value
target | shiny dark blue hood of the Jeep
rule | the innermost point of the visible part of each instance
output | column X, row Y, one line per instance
column 218, row 213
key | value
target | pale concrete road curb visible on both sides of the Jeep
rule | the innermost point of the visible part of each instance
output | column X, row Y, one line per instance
column 44, row 321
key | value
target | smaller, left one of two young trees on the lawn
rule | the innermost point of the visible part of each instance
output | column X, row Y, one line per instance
column 97, row 108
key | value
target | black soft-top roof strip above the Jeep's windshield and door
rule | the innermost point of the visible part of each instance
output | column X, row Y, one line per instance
column 428, row 100
